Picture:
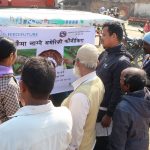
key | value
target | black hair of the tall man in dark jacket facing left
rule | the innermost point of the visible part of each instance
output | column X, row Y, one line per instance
column 114, row 27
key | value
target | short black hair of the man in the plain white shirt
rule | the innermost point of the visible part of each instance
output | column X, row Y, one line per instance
column 39, row 76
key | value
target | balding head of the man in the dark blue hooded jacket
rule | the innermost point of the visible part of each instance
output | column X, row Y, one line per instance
column 135, row 78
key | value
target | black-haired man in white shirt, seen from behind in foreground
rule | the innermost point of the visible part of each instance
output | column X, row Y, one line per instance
column 38, row 125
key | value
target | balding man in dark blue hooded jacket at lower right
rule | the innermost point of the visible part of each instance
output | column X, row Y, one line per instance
column 132, row 115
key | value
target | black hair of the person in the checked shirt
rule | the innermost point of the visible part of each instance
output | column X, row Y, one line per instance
column 7, row 47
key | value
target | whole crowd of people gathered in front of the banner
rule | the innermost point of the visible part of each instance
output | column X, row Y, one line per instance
column 109, row 108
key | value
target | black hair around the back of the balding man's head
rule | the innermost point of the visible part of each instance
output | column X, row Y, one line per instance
column 135, row 81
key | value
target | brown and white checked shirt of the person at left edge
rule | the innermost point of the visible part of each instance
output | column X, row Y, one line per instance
column 9, row 95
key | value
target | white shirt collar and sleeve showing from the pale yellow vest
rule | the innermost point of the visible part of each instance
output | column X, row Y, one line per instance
column 79, row 107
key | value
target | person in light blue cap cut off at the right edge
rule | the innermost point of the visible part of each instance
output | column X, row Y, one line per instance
column 146, row 63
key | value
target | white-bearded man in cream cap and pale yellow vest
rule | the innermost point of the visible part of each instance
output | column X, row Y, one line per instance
column 85, row 100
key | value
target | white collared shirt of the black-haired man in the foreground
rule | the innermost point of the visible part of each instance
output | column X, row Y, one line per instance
column 42, row 127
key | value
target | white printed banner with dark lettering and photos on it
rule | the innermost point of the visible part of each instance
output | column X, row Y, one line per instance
column 54, row 43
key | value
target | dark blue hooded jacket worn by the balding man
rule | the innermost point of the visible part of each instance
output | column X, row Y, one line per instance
column 131, row 122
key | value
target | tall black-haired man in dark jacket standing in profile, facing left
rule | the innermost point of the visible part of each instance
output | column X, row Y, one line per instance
column 114, row 60
